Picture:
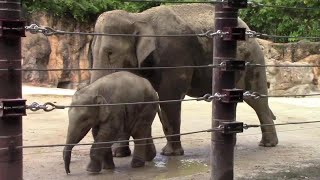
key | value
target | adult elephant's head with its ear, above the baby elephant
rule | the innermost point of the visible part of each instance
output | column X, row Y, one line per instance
column 120, row 51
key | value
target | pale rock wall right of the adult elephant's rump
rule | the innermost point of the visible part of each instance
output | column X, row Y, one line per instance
column 292, row 80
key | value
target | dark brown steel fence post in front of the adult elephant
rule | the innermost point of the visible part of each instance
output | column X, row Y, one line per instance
column 223, row 145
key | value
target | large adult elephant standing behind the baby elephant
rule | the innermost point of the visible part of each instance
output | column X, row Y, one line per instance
column 115, row 51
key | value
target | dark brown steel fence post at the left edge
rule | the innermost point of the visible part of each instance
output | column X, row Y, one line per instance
column 10, row 88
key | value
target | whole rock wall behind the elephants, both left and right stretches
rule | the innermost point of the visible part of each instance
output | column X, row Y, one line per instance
column 70, row 51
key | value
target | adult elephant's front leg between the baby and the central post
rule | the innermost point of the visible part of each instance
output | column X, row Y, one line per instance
column 171, row 119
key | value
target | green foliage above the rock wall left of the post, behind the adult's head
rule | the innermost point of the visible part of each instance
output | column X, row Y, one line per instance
column 82, row 10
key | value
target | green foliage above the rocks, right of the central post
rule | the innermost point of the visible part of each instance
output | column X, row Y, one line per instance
column 286, row 22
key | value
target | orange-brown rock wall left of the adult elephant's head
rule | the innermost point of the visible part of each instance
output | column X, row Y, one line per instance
column 56, row 52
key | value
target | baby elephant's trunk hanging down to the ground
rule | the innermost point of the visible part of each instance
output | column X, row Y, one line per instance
column 76, row 133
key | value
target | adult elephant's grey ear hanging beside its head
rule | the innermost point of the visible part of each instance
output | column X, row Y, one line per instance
column 144, row 45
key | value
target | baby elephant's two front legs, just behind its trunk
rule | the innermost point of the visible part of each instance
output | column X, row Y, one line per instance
column 101, row 154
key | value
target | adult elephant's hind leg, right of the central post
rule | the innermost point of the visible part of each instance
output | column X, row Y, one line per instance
column 269, row 135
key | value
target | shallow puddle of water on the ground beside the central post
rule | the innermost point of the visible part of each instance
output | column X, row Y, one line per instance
column 177, row 166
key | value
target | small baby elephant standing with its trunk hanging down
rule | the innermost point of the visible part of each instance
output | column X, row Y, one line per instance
column 111, row 122
